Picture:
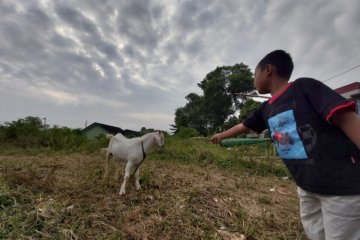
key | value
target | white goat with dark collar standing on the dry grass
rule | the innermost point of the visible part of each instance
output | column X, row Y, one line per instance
column 133, row 151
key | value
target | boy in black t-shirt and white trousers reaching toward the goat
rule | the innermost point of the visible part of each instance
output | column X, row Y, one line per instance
column 317, row 134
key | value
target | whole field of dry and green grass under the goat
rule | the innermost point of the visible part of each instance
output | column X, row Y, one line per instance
column 190, row 190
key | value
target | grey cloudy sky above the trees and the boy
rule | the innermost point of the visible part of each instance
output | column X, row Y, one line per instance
column 131, row 63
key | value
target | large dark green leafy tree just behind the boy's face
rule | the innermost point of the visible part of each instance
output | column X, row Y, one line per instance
column 220, row 100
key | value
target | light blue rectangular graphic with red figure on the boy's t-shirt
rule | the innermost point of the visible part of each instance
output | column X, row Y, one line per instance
column 283, row 131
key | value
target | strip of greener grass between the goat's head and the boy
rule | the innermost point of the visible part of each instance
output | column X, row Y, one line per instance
column 254, row 158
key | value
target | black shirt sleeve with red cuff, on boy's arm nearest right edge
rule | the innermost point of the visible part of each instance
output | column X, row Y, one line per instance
column 325, row 101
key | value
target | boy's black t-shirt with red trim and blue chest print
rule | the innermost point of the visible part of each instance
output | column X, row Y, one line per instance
column 320, row 157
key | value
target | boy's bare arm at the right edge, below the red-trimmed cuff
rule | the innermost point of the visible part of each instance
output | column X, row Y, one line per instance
column 349, row 122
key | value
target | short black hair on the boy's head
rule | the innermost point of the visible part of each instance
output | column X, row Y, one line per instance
column 281, row 60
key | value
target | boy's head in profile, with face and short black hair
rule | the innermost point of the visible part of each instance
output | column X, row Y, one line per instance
column 275, row 65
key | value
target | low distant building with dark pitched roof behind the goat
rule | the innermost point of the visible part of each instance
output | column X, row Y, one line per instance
column 96, row 129
